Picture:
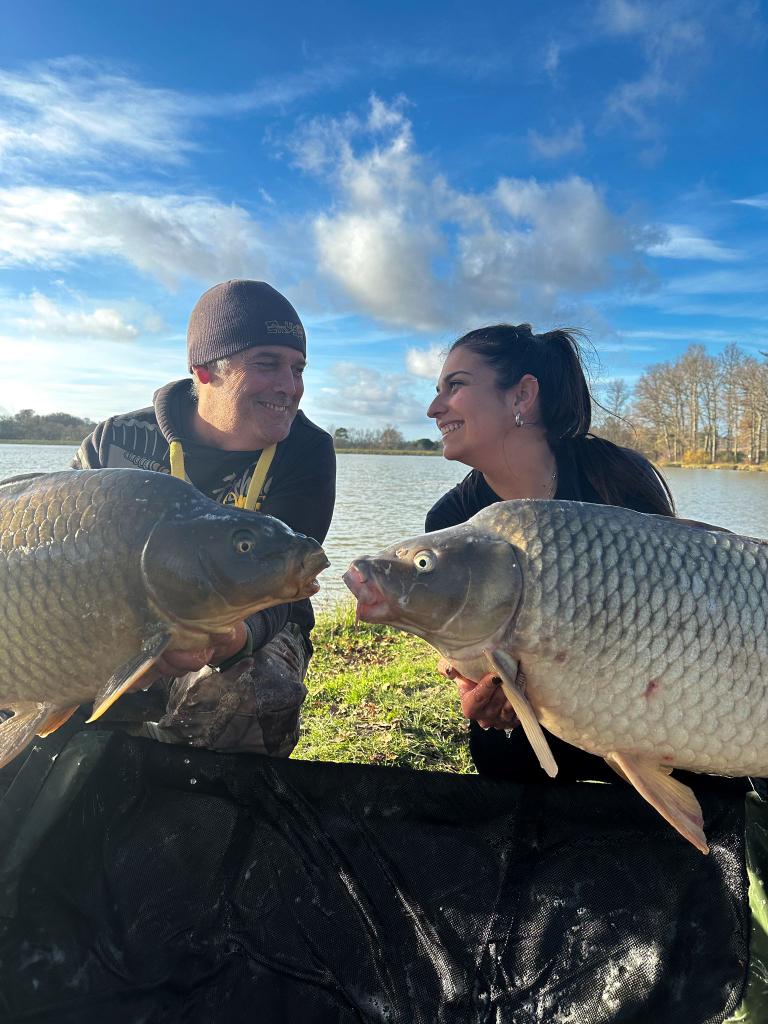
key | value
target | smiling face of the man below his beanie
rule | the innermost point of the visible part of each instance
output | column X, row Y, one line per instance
column 259, row 396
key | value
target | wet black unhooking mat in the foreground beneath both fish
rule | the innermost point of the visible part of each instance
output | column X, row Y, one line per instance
column 147, row 883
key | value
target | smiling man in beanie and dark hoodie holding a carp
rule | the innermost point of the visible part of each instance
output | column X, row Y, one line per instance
column 236, row 433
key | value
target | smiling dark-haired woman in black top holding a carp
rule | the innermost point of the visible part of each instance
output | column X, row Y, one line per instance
column 517, row 408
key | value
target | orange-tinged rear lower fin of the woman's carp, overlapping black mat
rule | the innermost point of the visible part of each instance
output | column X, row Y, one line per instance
column 674, row 801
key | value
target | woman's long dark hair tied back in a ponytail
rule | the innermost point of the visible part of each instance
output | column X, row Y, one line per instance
column 619, row 476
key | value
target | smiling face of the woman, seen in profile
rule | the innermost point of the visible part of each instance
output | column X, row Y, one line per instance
column 475, row 415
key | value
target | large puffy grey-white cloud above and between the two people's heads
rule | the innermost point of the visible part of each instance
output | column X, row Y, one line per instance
column 409, row 249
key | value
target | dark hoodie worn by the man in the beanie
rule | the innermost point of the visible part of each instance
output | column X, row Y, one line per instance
column 301, row 487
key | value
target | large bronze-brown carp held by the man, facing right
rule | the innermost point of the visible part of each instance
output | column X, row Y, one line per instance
column 102, row 572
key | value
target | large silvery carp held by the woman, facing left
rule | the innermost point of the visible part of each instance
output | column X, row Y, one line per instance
column 635, row 637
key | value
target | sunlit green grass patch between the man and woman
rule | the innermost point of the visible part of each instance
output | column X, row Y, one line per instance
column 375, row 698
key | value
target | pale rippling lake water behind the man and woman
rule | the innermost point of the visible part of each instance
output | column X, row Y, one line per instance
column 382, row 499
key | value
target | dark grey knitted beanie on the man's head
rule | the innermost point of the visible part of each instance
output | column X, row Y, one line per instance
column 238, row 315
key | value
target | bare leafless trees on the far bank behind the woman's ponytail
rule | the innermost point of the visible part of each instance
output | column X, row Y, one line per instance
column 699, row 409
